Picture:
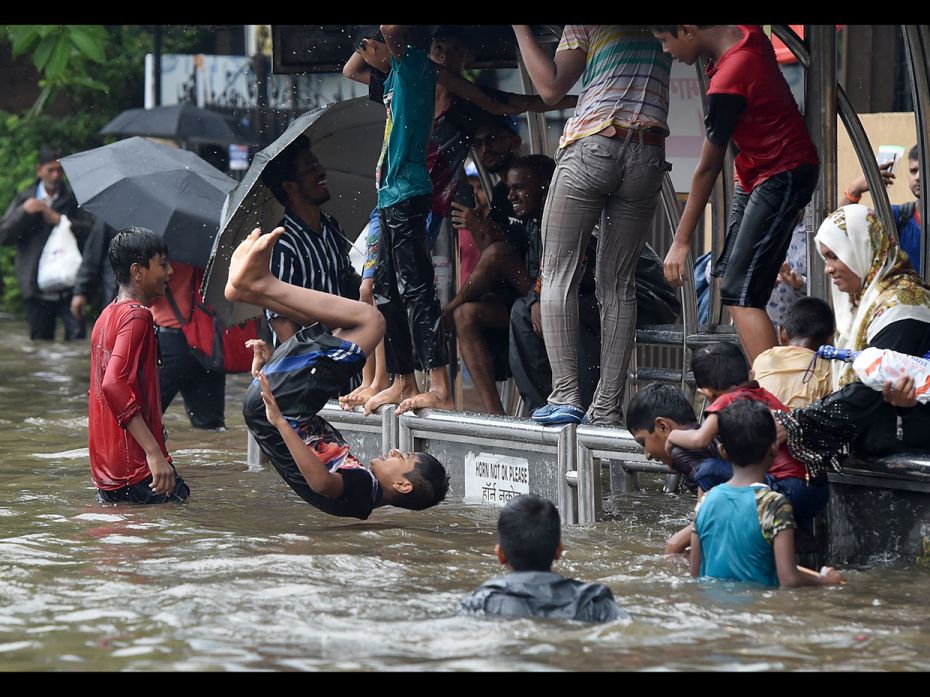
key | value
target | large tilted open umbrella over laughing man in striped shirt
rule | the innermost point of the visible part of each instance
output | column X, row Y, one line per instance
column 346, row 137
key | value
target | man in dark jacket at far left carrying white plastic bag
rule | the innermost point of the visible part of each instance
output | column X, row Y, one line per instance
column 28, row 222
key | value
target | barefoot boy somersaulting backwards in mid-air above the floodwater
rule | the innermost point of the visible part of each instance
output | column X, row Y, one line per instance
column 293, row 384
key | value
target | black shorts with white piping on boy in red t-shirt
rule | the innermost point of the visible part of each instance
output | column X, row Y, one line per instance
column 758, row 234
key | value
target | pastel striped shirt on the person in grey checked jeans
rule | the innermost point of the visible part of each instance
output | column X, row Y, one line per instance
column 625, row 80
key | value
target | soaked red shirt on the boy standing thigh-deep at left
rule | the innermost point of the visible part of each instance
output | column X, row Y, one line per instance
column 123, row 383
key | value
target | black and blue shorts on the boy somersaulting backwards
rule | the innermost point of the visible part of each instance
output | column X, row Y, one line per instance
column 304, row 373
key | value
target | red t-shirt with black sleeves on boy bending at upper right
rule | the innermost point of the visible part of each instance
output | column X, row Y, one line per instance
column 770, row 131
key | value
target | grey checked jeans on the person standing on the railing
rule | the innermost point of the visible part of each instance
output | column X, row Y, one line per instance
column 616, row 183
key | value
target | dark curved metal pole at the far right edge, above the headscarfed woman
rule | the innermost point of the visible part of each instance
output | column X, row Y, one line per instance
column 916, row 48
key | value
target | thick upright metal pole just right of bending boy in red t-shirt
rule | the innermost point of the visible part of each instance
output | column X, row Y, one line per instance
column 820, row 100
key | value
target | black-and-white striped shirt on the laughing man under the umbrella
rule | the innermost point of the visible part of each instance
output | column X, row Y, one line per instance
column 320, row 262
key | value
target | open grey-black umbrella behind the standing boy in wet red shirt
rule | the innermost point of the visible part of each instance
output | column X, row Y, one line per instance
column 172, row 192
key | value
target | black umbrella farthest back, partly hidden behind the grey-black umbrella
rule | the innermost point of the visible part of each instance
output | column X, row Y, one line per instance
column 181, row 122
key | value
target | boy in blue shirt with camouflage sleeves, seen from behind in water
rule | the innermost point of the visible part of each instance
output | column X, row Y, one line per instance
column 744, row 531
